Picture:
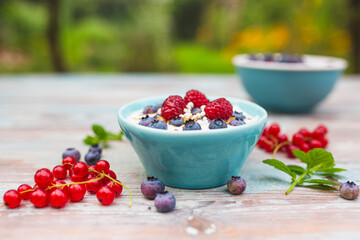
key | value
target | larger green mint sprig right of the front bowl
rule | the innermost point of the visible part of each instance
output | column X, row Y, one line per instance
column 318, row 162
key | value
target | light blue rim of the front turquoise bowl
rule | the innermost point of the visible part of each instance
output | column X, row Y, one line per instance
column 123, row 121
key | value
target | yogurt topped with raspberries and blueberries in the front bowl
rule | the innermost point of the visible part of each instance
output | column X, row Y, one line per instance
column 193, row 112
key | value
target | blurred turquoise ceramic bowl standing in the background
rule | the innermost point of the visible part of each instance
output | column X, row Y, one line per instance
column 289, row 87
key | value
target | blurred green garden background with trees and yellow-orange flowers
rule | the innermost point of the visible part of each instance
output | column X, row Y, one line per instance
column 170, row 35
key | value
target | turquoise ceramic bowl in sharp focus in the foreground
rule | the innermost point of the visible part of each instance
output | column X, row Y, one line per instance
column 193, row 159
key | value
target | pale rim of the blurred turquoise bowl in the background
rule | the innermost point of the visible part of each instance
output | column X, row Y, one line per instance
column 334, row 64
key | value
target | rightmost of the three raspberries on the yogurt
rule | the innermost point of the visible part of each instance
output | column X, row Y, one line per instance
column 219, row 108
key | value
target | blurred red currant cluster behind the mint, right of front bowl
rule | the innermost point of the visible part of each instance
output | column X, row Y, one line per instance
column 272, row 141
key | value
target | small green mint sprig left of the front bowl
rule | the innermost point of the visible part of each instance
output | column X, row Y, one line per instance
column 101, row 136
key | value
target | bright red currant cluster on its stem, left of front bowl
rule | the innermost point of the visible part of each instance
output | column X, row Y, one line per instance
column 97, row 179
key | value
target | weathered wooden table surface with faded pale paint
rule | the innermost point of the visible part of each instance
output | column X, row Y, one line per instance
column 40, row 116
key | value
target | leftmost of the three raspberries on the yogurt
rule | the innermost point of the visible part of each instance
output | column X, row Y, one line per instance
column 172, row 107
